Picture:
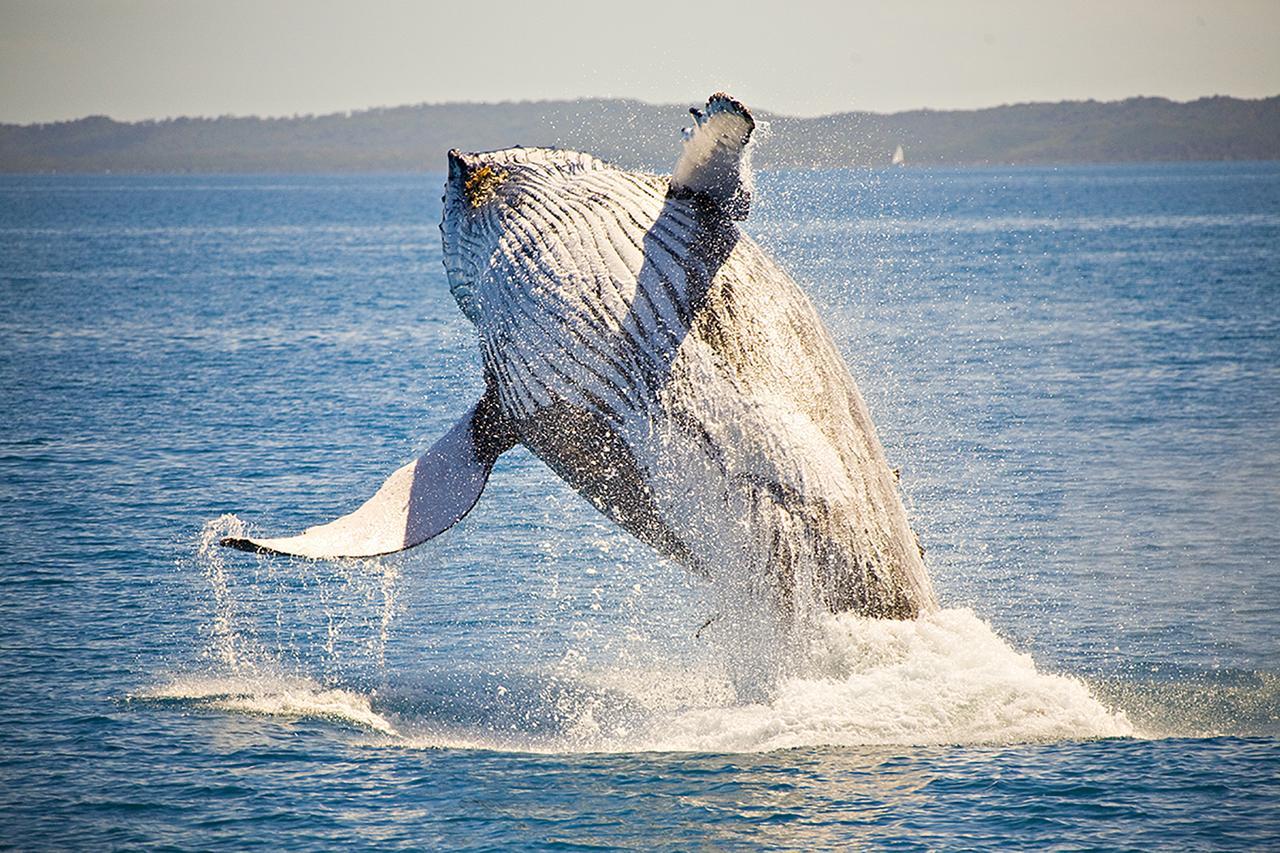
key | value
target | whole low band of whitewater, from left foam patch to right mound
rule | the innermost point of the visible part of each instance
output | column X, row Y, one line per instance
column 943, row 679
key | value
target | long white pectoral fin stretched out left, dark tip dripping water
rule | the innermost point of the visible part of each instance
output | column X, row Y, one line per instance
column 419, row 501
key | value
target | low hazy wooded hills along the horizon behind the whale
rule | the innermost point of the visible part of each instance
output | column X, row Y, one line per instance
column 636, row 135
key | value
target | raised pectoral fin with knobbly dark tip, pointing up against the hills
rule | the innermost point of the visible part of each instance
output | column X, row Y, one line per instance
column 716, row 162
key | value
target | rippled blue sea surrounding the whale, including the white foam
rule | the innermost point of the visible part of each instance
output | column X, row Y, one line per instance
column 1078, row 372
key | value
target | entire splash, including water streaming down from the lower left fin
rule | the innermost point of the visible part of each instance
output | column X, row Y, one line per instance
column 945, row 678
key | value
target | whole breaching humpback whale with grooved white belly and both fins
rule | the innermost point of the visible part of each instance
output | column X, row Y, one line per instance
column 650, row 353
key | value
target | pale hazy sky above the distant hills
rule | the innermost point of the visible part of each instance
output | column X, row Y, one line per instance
column 150, row 60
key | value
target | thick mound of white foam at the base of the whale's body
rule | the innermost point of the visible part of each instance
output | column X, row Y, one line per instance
column 944, row 679
